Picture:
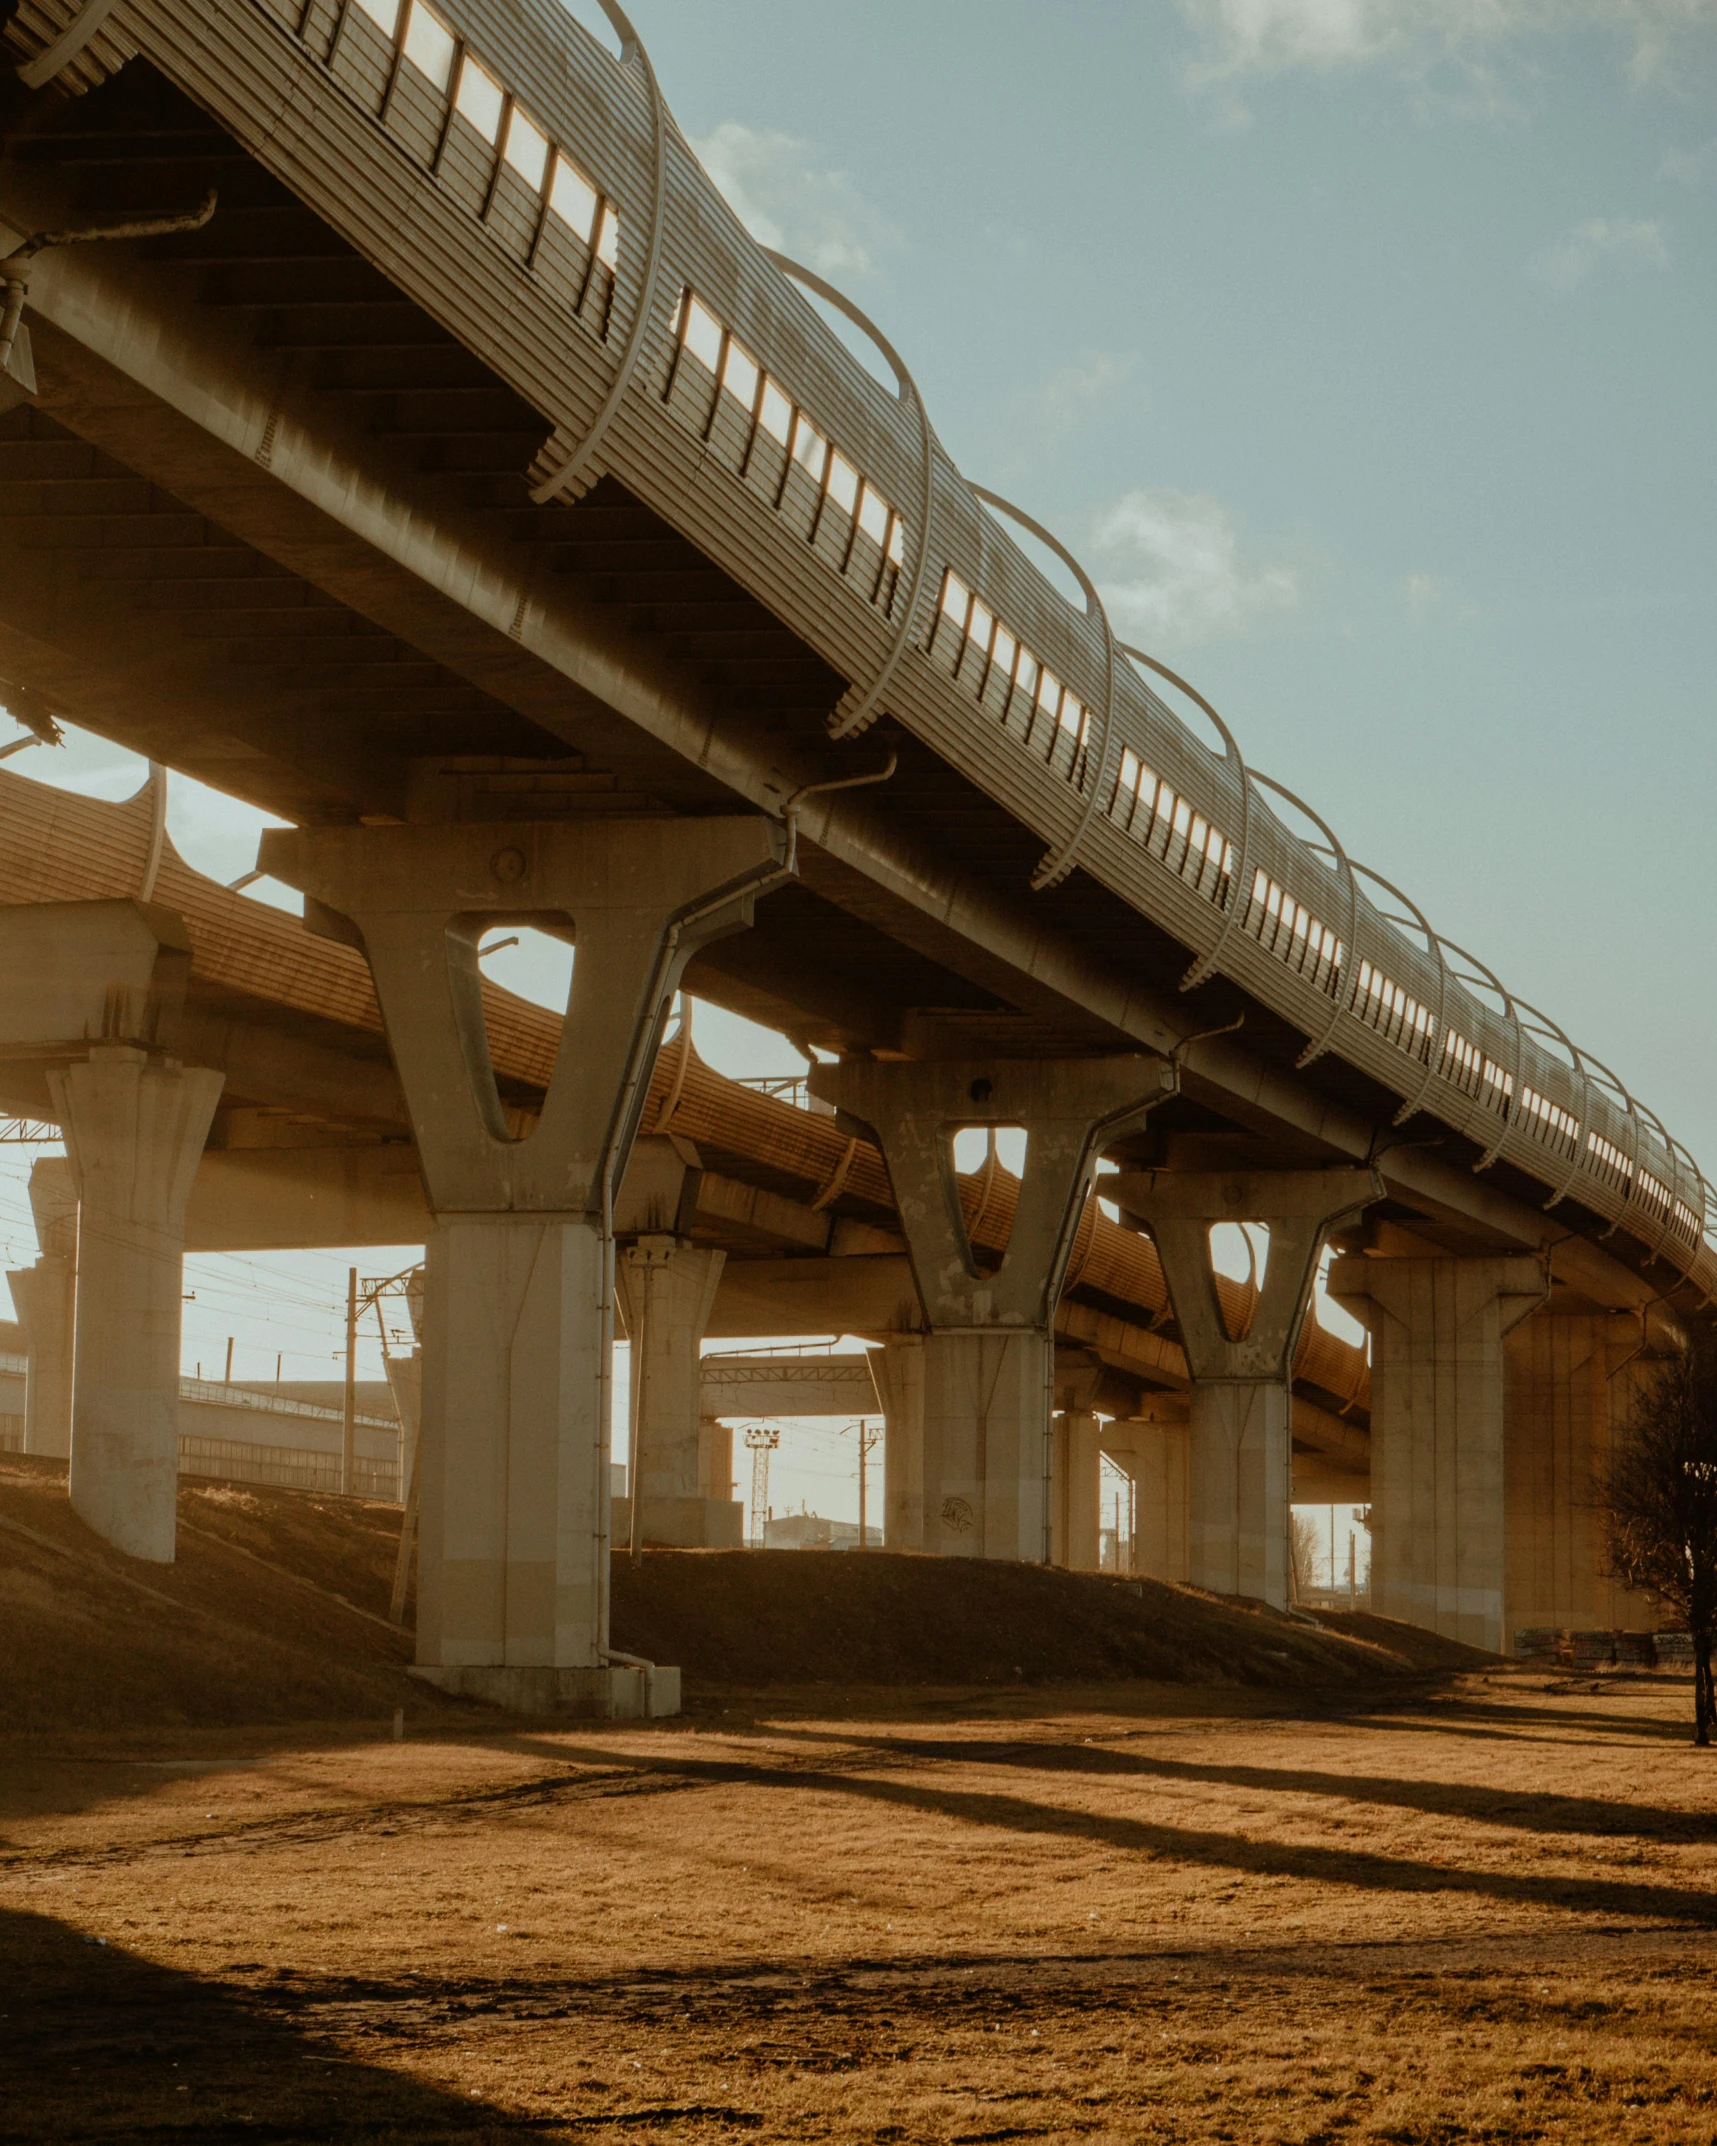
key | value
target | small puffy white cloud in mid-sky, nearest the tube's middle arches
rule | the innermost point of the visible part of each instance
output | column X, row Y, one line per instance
column 1173, row 563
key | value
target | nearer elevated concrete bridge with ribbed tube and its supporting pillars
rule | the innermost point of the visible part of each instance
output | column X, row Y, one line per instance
column 463, row 482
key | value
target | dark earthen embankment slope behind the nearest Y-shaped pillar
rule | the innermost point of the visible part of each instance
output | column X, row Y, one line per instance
column 276, row 1613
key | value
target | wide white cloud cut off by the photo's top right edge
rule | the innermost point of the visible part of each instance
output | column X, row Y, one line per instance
column 1248, row 38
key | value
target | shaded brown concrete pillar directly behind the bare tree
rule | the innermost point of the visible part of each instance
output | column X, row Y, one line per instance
column 1568, row 1387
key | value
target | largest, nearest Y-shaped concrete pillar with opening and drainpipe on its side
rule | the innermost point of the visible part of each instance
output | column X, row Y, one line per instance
column 520, row 1295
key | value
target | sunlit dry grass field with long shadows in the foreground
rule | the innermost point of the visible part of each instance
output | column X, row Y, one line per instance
column 1111, row 1913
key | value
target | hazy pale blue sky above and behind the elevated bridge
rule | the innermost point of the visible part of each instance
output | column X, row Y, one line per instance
column 1364, row 351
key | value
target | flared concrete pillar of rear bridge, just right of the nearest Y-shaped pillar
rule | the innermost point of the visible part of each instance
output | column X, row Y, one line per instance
column 666, row 1293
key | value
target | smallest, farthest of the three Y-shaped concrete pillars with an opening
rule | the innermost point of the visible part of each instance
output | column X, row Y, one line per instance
column 1242, row 1402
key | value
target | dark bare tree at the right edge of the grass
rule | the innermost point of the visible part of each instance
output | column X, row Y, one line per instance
column 1658, row 1499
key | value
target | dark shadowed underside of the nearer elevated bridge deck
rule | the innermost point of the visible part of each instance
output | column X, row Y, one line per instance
column 177, row 598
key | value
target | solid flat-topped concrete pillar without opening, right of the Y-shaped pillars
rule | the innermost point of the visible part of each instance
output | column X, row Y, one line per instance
column 1439, row 1432
